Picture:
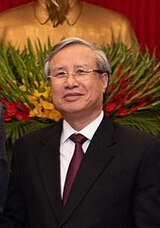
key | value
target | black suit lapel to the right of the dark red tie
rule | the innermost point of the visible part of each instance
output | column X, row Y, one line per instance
column 99, row 154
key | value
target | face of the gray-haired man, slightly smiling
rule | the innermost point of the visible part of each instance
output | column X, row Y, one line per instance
column 73, row 94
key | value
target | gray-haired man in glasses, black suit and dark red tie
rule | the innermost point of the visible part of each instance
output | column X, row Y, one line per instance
column 118, row 180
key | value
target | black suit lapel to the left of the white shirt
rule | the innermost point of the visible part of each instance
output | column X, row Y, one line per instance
column 49, row 168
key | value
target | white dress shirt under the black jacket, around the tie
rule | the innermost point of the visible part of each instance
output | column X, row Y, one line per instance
column 67, row 145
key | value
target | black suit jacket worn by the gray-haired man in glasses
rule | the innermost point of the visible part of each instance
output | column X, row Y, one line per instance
column 117, row 186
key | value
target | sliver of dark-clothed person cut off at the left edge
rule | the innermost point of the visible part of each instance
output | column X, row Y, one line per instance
column 4, row 175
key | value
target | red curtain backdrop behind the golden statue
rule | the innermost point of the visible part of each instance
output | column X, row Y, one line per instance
column 143, row 14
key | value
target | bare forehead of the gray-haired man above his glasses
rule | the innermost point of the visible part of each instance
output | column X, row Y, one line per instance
column 76, row 53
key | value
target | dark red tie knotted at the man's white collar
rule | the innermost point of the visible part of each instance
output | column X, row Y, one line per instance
column 74, row 165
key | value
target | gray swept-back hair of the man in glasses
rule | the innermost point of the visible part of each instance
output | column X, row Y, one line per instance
column 101, row 59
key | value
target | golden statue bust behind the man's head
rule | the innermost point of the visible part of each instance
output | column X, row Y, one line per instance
column 56, row 19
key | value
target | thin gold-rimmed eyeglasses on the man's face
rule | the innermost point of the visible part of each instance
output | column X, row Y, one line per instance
column 80, row 73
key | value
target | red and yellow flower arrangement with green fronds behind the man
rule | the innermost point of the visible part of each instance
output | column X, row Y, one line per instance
column 133, row 93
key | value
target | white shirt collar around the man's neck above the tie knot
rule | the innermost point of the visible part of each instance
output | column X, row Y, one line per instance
column 88, row 131
